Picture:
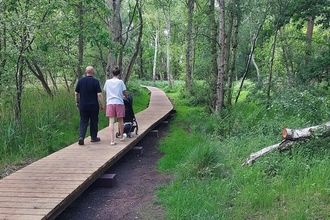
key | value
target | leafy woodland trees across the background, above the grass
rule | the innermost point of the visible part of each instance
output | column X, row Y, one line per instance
column 275, row 44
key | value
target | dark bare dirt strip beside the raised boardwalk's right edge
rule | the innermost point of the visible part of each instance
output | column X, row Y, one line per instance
column 133, row 196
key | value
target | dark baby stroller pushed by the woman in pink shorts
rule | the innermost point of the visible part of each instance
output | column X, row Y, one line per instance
column 130, row 123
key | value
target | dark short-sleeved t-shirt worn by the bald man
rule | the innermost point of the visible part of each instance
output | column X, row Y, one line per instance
column 88, row 87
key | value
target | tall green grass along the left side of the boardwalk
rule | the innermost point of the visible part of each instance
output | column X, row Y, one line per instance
column 47, row 125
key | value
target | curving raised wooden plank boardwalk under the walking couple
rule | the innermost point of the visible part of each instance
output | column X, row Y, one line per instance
column 43, row 189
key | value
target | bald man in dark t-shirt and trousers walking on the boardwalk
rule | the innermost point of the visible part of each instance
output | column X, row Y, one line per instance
column 88, row 95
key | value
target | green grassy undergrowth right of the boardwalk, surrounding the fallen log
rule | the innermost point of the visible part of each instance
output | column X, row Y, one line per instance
column 205, row 153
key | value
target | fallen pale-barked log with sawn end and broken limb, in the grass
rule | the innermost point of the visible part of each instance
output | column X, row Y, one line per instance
column 290, row 136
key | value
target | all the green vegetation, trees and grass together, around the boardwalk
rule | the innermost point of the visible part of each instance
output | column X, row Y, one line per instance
column 238, row 72
